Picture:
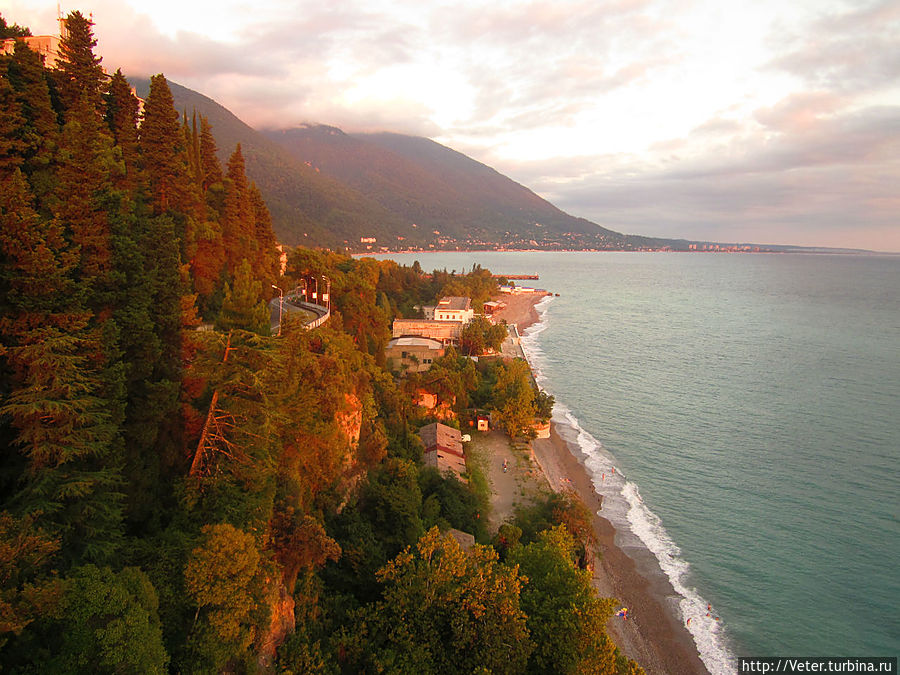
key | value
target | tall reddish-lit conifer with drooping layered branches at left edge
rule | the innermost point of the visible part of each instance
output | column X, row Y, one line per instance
column 55, row 405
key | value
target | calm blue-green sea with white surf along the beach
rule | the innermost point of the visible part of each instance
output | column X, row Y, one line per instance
column 740, row 415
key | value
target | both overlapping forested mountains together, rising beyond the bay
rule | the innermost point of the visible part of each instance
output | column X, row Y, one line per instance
column 328, row 188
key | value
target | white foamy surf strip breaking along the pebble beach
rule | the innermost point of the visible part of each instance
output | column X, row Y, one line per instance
column 636, row 525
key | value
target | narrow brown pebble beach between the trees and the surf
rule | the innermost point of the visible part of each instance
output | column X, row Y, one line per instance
column 653, row 635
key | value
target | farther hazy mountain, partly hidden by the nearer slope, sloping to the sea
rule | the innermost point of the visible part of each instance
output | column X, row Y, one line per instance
column 435, row 187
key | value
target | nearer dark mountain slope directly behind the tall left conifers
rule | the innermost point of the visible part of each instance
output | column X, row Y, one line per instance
column 307, row 207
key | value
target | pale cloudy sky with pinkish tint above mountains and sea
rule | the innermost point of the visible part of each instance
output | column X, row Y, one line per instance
column 724, row 120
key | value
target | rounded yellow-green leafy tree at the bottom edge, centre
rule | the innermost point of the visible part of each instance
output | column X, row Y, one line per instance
column 443, row 610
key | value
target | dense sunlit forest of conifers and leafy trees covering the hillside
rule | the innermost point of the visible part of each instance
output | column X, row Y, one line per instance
column 181, row 491
